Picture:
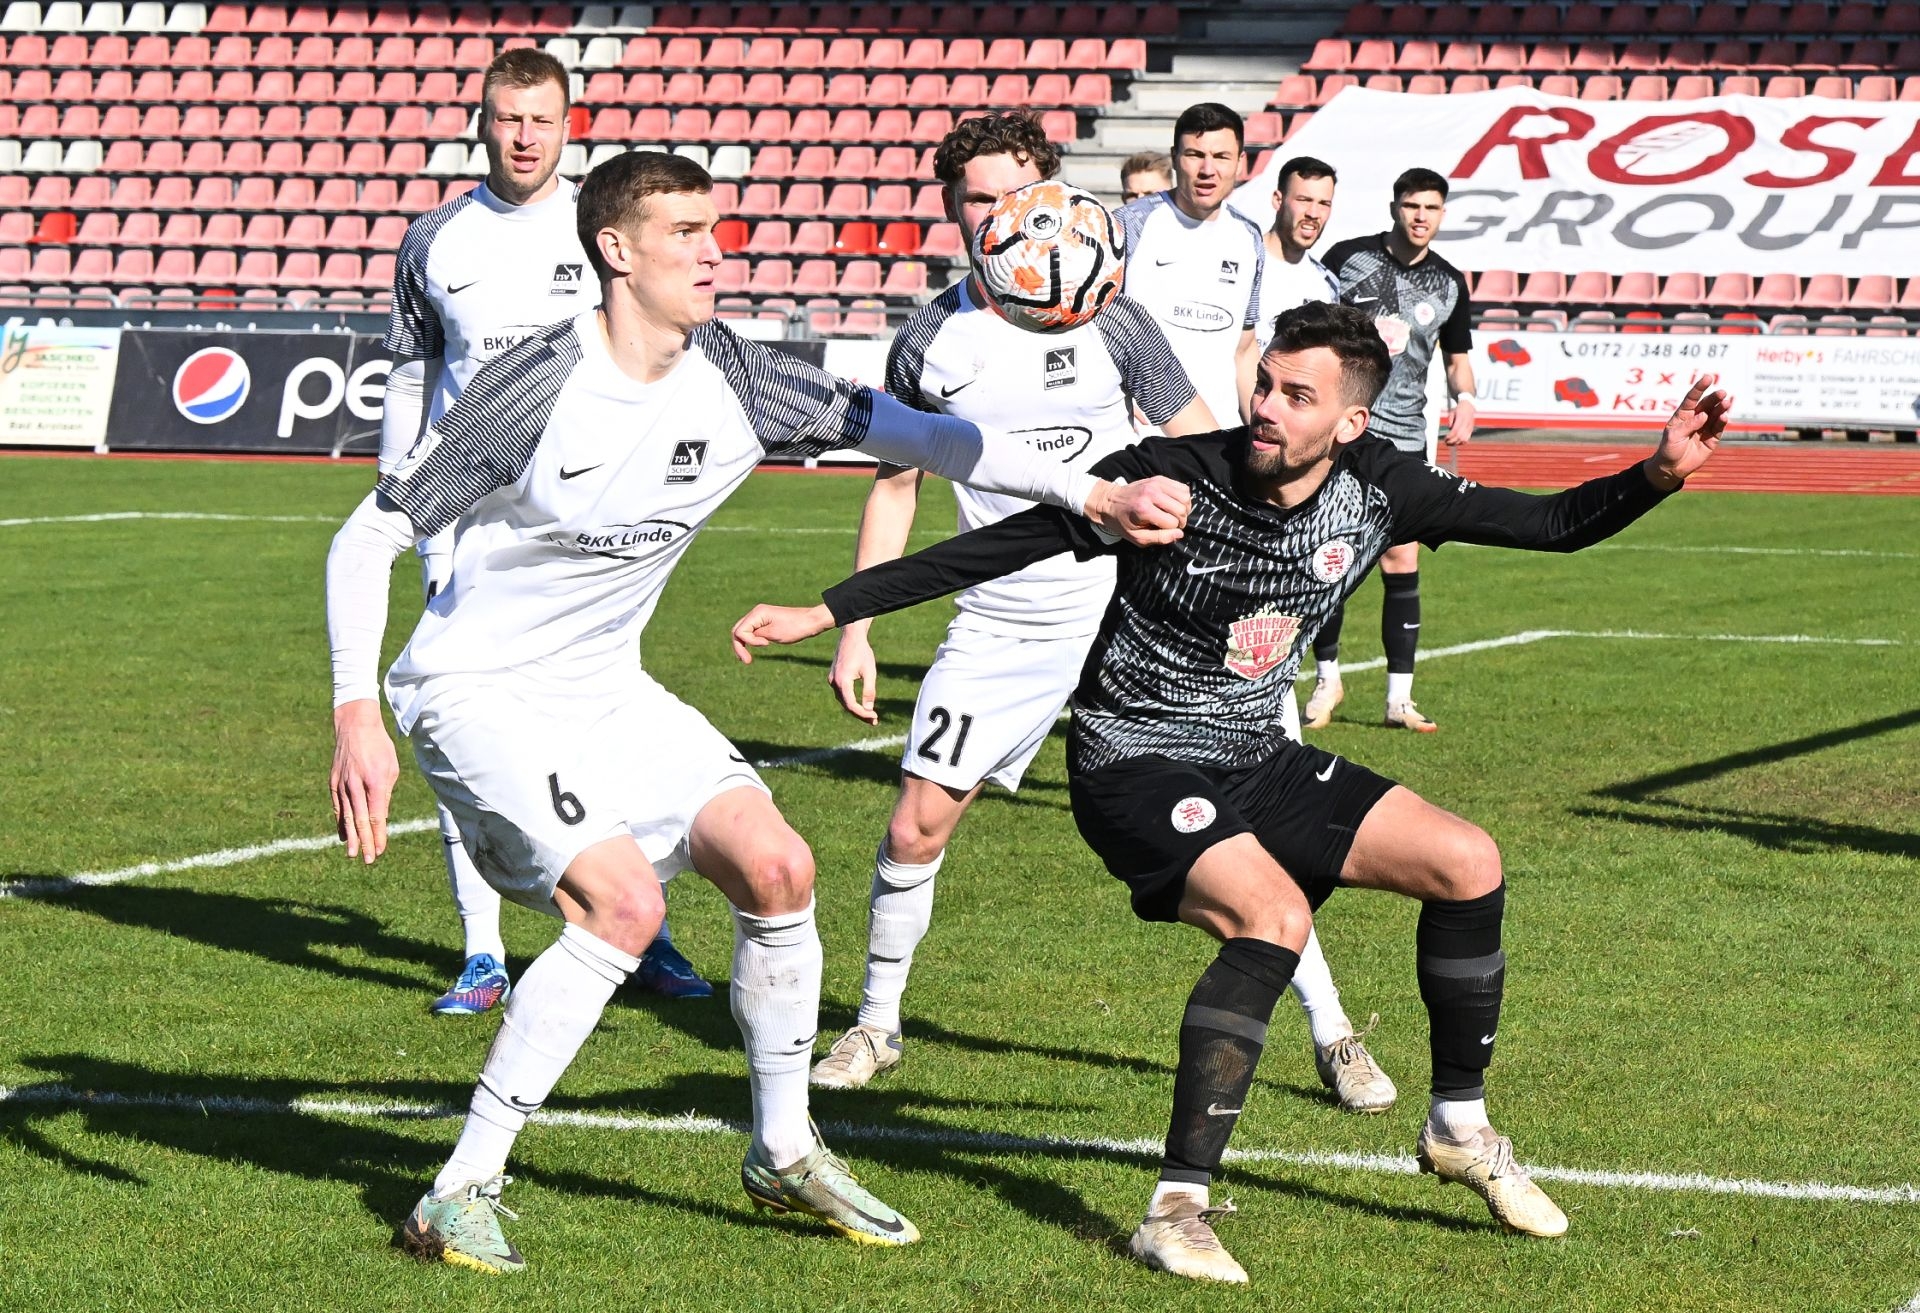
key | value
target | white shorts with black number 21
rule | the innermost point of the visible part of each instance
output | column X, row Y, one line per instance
column 988, row 705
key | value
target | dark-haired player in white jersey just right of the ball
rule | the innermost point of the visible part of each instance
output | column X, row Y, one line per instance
column 1195, row 264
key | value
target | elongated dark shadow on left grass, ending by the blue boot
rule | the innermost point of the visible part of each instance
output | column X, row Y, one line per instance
column 279, row 930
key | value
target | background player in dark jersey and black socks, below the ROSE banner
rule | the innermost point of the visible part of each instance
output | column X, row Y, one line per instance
column 1418, row 302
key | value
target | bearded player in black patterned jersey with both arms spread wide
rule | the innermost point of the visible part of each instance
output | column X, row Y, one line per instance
column 1189, row 794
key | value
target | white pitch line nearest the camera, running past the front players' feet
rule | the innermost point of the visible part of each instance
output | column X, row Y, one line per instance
column 965, row 1141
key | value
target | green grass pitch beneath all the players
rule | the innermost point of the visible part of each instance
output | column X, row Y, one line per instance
column 1712, row 849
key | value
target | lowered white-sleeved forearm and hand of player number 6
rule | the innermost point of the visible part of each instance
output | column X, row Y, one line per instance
column 366, row 767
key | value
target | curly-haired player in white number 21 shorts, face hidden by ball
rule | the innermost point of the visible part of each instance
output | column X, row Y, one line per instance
column 1017, row 650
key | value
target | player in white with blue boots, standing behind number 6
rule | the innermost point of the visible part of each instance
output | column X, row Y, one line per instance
column 473, row 279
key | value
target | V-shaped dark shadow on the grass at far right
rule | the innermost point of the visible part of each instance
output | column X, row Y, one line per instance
column 1769, row 830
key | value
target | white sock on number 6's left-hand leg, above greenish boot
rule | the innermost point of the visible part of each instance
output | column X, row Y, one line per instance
column 548, row 1018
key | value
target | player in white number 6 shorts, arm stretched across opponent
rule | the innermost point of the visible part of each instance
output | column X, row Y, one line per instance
column 579, row 467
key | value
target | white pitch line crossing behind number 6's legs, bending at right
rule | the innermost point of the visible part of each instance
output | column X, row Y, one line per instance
column 233, row 857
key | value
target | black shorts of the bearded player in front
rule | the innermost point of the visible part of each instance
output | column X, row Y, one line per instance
column 1151, row 819
